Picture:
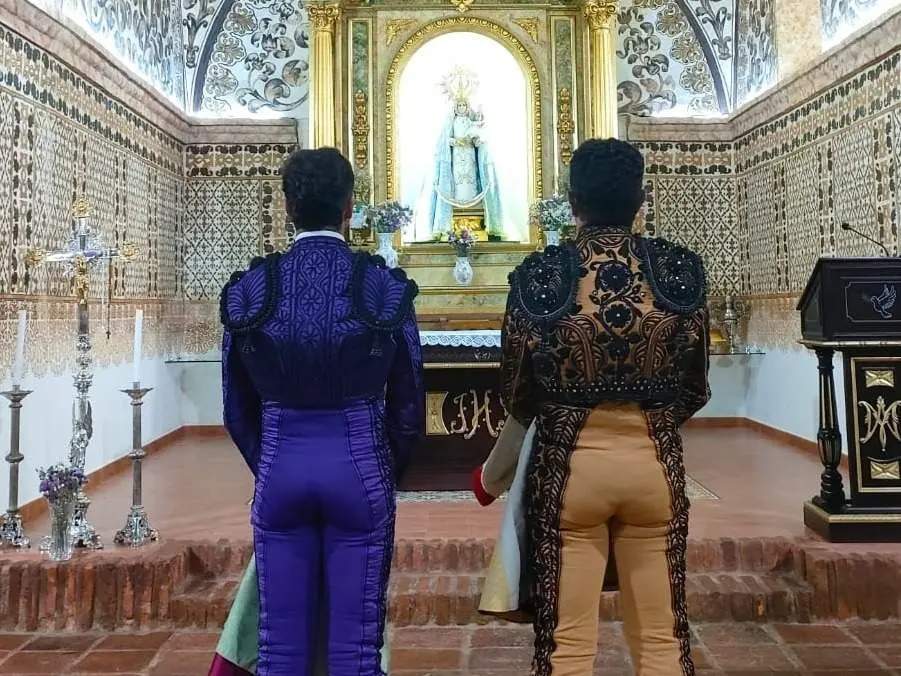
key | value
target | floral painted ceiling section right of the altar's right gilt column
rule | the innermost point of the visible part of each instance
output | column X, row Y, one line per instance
column 686, row 58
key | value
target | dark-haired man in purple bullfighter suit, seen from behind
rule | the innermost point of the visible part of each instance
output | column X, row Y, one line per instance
column 323, row 395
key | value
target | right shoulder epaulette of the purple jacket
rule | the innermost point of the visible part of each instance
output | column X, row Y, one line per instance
column 381, row 297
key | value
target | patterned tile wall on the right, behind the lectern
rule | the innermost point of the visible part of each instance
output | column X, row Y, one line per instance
column 764, row 208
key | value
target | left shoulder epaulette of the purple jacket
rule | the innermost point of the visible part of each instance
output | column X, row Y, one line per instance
column 249, row 298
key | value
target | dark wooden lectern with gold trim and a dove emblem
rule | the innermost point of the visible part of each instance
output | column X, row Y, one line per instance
column 851, row 305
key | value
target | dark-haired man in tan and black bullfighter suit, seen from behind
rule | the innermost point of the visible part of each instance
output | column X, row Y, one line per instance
column 605, row 352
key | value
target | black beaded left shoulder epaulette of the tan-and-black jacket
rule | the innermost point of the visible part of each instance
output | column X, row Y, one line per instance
column 544, row 285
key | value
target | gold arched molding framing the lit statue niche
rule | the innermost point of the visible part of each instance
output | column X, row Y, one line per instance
column 492, row 30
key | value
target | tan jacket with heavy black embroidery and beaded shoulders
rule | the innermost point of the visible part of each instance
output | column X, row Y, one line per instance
column 609, row 317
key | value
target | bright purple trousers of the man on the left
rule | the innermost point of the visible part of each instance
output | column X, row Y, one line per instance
column 323, row 510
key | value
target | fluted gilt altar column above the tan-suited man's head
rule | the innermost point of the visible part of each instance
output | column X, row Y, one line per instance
column 602, row 115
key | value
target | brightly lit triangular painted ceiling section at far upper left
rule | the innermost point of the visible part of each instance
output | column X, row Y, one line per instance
column 146, row 36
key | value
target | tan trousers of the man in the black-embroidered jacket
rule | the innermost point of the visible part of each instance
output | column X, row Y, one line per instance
column 617, row 487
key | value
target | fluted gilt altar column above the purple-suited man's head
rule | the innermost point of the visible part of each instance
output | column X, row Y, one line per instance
column 323, row 122
